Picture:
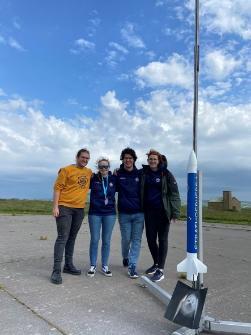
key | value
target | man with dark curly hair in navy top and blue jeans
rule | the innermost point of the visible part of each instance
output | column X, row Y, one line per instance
column 131, row 217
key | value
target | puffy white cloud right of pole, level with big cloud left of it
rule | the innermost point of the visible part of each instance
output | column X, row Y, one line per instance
column 220, row 65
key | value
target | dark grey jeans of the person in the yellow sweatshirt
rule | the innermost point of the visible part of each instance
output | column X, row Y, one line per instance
column 68, row 224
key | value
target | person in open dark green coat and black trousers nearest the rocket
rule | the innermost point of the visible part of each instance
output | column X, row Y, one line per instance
column 161, row 202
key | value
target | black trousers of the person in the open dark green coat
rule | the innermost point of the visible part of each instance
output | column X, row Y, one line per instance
column 157, row 225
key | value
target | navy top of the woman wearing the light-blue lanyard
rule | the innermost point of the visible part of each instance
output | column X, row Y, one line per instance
column 97, row 197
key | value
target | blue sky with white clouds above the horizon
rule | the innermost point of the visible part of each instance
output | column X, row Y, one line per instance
column 110, row 74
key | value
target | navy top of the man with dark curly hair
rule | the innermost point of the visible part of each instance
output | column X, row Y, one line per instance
column 128, row 184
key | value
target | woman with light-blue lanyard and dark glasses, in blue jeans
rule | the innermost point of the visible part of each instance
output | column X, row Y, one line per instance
column 102, row 215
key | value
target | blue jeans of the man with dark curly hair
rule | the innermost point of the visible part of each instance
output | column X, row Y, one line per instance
column 131, row 227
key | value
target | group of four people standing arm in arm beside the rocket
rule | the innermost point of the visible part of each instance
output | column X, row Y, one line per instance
column 146, row 197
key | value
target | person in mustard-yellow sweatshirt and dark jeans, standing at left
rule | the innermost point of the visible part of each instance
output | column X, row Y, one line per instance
column 70, row 192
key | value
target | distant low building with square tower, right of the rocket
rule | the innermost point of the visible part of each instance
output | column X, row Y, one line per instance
column 226, row 203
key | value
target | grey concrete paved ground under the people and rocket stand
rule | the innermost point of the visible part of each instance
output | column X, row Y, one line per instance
column 31, row 305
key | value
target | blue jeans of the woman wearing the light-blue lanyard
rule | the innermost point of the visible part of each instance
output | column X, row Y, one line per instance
column 95, row 223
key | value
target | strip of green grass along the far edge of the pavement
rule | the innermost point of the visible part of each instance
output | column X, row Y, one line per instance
column 33, row 207
